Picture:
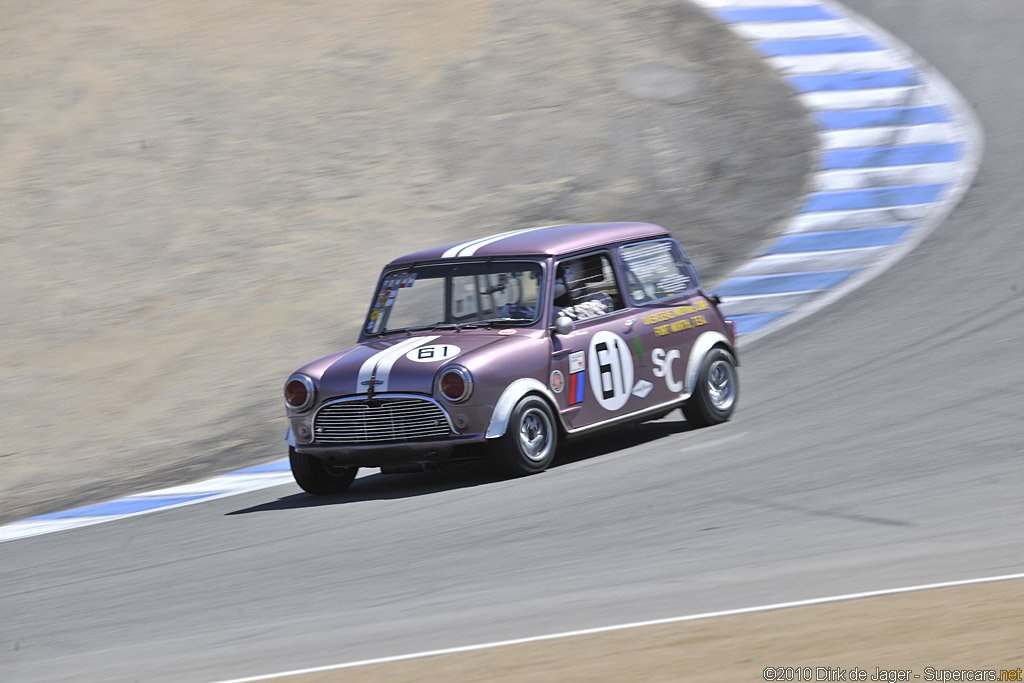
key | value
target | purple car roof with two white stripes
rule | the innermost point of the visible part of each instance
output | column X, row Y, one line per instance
column 542, row 241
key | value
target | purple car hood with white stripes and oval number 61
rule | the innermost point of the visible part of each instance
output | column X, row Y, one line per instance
column 402, row 364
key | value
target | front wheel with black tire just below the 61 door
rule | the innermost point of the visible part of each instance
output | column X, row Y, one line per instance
column 531, row 441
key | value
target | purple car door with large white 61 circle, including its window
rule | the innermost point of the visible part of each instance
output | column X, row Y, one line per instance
column 592, row 368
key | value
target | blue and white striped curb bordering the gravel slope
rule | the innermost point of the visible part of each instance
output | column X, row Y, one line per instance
column 899, row 148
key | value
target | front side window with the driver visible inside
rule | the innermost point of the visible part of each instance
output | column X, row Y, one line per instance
column 586, row 287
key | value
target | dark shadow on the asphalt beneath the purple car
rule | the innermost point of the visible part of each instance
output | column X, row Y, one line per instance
column 475, row 474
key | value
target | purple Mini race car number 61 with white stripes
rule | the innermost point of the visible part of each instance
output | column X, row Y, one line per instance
column 503, row 347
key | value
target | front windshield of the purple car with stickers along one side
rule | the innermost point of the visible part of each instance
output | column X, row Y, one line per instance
column 457, row 295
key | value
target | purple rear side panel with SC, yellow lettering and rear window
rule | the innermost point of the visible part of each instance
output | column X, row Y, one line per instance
column 671, row 314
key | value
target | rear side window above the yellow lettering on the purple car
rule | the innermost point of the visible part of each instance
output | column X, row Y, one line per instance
column 655, row 271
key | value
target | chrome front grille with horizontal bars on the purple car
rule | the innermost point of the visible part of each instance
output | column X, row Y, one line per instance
column 380, row 420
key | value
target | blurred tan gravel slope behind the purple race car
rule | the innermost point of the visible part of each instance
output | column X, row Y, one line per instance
column 198, row 196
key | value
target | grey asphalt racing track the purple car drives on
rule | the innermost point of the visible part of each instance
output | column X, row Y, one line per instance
column 878, row 444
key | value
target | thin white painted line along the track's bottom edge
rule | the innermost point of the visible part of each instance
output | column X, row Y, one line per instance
column 634, row 625
